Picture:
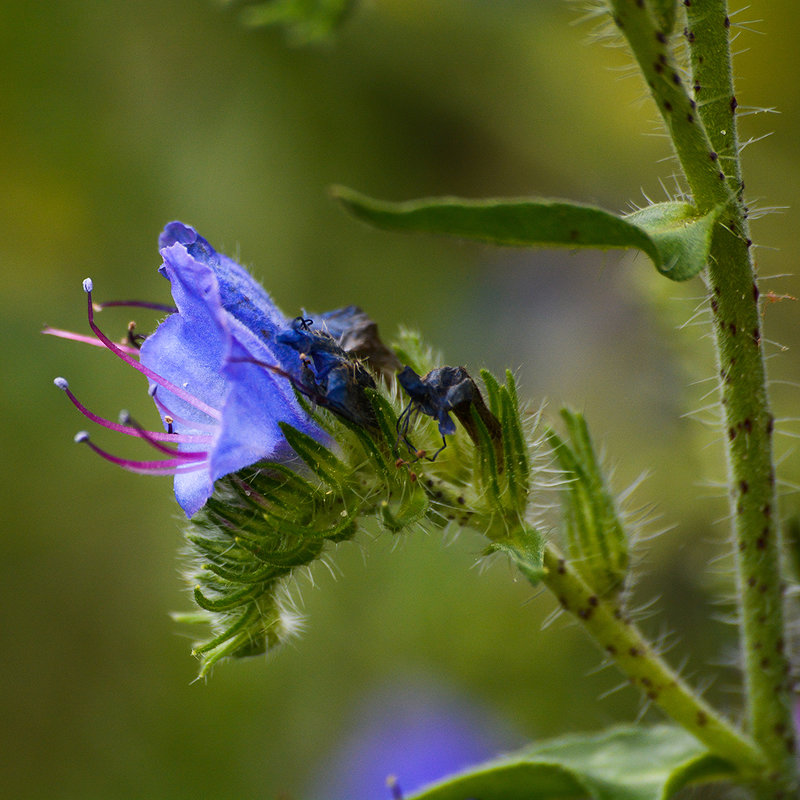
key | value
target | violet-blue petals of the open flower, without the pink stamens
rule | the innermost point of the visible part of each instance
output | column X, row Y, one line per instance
column 215, row 346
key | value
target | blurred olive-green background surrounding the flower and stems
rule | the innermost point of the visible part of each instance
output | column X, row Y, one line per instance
column 117, row 117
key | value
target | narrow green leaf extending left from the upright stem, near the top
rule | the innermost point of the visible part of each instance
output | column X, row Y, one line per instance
column 675, row 238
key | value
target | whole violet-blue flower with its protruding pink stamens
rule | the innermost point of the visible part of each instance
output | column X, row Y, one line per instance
column 217, row 372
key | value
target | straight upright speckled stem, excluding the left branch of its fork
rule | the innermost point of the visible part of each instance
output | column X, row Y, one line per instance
column 748, row 421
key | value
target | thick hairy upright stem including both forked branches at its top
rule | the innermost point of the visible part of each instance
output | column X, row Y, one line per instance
column 703, row 130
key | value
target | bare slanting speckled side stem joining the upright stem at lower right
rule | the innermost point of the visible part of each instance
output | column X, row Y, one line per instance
column 607, row 624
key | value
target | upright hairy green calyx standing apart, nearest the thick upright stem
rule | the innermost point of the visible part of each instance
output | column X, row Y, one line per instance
column 596, row 539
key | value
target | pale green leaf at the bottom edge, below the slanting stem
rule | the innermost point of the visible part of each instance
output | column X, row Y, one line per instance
column 626, row 763
